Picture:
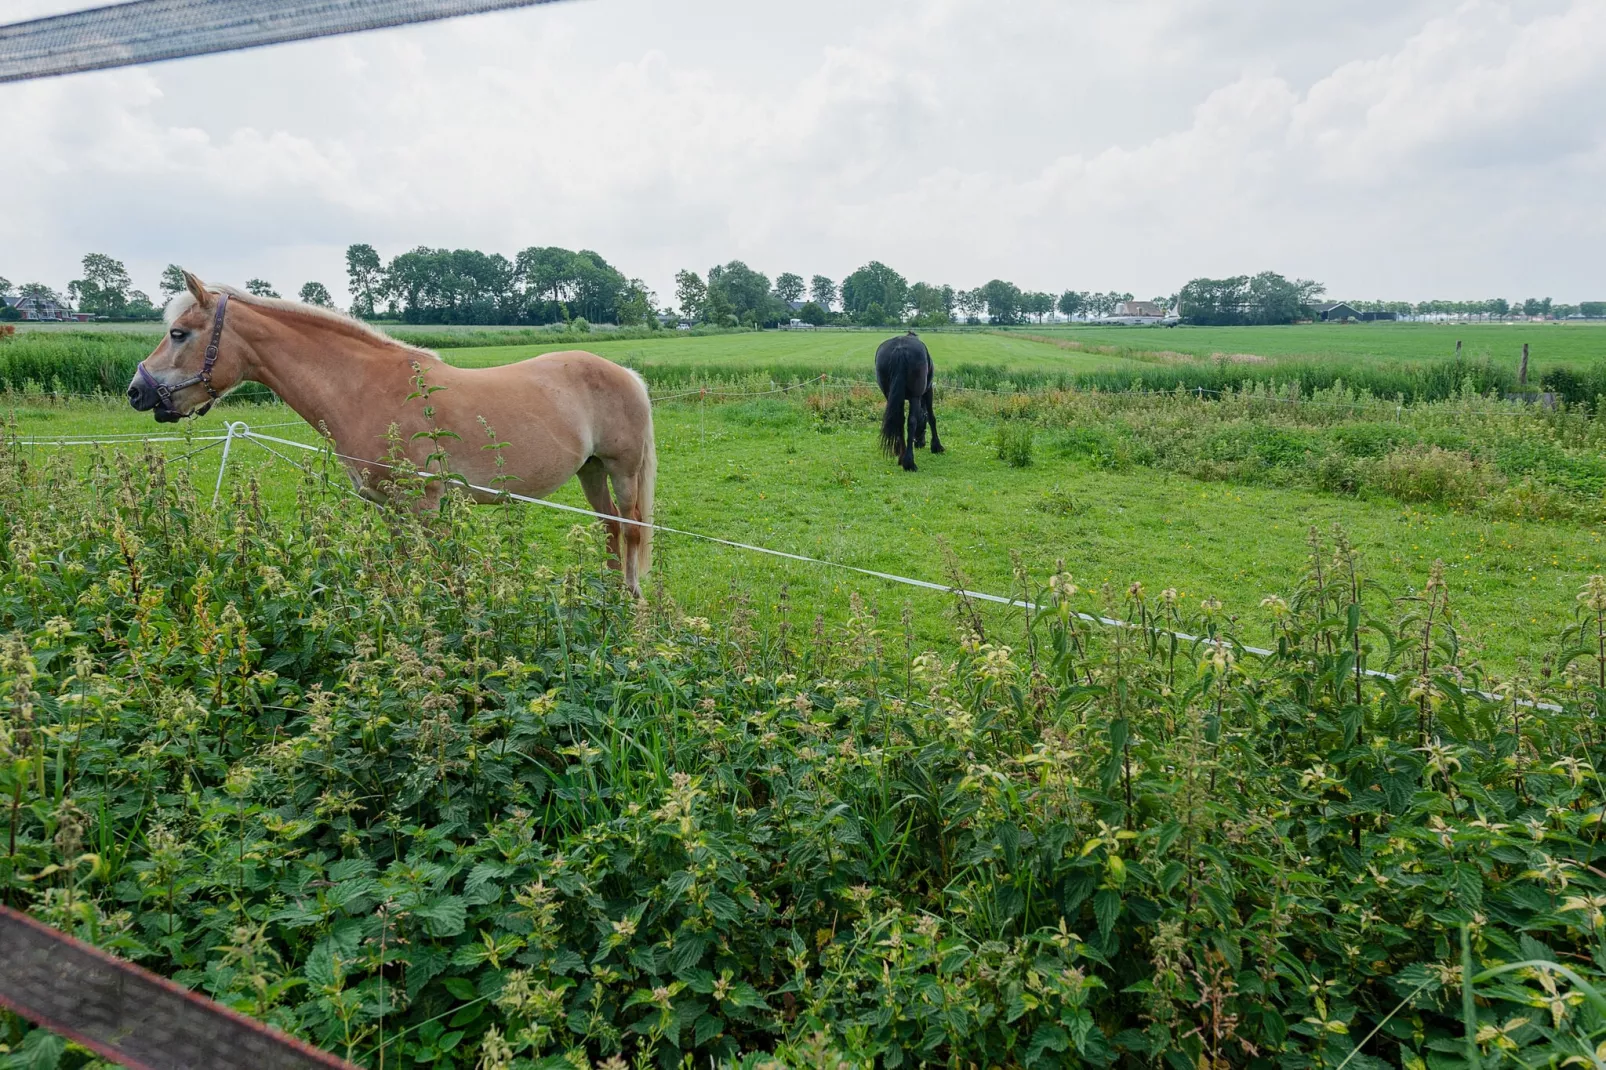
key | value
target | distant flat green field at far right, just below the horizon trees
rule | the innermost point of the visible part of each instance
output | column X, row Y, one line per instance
column 1401, row 343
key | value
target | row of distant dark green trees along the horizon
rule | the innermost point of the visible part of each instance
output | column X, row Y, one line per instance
column 548, row 285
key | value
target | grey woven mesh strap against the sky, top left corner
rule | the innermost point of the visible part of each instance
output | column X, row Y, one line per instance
column 147, row 31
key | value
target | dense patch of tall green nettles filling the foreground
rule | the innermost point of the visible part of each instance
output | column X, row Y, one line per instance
column 428, row 793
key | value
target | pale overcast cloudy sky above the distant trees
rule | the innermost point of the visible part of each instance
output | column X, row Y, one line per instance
column 1388, row 149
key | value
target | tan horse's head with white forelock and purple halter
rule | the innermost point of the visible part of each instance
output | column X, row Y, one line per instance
column 198, row 361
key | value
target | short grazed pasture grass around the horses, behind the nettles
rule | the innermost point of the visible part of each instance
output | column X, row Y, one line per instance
column 765, row 472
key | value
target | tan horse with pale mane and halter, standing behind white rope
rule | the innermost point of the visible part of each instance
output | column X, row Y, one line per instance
column 561, row 415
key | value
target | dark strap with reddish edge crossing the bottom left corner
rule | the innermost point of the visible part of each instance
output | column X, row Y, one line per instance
column 131, row 1015
